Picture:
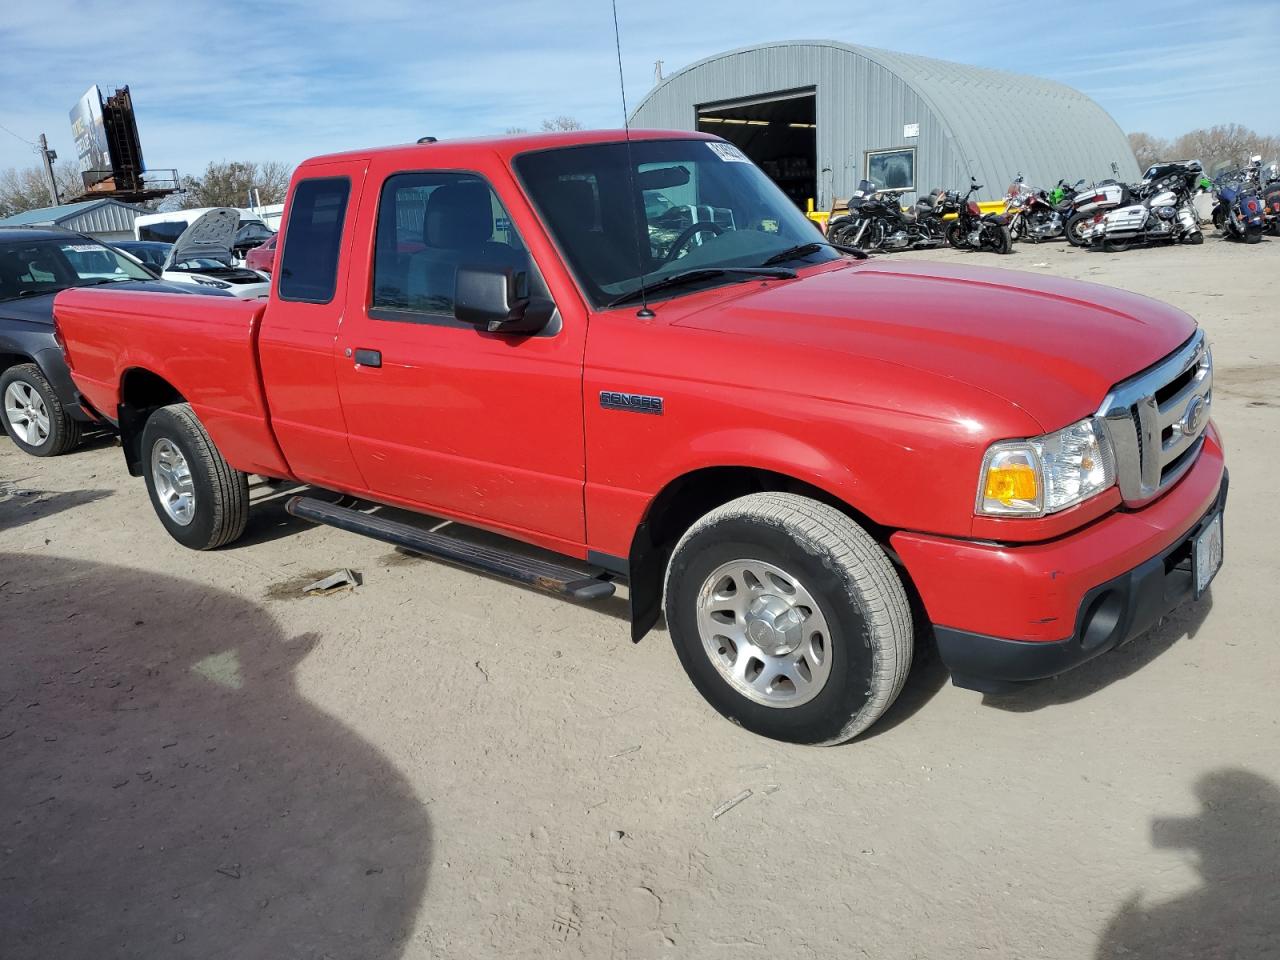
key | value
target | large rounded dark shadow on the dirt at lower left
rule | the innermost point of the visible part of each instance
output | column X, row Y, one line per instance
column 170, row 792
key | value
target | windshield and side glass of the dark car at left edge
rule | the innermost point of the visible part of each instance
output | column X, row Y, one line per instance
column 31, row 268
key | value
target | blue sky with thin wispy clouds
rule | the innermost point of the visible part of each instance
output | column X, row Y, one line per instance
column 282, row 80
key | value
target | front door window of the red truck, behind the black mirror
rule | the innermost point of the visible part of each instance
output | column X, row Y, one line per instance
column 429, row 225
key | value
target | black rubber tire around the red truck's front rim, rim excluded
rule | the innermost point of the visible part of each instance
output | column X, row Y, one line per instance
column 853, row 584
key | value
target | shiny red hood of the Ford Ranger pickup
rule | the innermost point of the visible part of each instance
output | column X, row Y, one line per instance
column 1050, row 346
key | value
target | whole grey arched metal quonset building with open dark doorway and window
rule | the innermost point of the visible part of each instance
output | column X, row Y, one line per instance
column 820, row 116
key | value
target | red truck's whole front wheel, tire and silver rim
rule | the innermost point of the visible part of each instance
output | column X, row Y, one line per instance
column 789, row 619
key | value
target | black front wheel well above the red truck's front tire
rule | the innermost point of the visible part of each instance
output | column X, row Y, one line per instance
column 683, row 502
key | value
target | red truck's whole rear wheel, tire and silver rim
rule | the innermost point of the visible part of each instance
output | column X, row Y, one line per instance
column 200, row 499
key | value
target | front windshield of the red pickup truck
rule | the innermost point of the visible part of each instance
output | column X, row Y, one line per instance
column 682, row 205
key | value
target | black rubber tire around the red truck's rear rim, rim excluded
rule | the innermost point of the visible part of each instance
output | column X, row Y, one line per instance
column 220, row 491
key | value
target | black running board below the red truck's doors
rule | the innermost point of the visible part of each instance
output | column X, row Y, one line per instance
column 552, row 578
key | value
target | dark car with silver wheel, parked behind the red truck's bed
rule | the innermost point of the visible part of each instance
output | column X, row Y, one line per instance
column 40, row 408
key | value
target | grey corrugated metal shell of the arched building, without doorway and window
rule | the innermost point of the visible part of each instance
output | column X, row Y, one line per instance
column 988, row 124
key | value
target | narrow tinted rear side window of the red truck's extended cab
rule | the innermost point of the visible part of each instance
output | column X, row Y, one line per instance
column 309, row 266
